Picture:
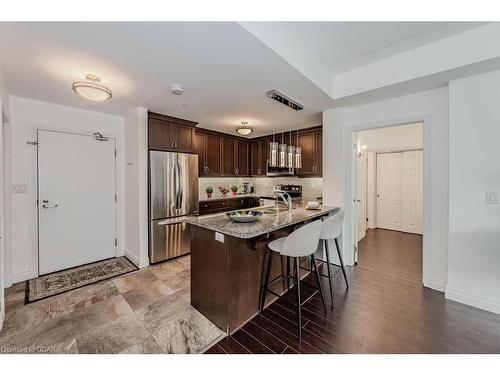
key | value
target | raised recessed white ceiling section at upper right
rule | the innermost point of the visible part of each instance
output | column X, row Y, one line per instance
column 342, row 46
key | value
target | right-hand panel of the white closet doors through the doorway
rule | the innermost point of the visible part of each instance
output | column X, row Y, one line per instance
column 413, row 185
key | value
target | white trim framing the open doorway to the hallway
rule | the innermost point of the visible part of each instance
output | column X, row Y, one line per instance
column 350, row 183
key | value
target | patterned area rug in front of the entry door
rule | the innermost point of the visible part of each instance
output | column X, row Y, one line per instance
column 73, row 278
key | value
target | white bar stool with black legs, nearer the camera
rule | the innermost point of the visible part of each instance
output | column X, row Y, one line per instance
column 302, row 242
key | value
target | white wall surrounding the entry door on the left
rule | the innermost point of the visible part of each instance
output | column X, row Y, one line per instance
column 26, row 116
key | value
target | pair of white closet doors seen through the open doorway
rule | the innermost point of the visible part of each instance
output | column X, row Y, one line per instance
column 400, row 191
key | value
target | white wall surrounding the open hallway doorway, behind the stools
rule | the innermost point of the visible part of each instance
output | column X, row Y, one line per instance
column 430, row 107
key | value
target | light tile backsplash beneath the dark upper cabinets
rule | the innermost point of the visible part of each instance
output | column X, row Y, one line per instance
column 312, row 188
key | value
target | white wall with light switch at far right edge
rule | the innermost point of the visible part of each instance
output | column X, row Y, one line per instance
column 474, row 236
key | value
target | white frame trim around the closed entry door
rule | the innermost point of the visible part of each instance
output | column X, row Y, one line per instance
column 33, row 191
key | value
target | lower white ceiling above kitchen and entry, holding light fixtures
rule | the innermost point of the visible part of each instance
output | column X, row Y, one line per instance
column 224, row 69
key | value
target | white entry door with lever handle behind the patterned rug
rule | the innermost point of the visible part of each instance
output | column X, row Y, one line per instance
column 76, row 200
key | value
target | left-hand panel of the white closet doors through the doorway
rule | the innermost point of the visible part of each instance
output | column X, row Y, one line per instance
column 390, row 191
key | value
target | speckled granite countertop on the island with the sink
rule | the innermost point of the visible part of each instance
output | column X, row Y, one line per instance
column 268, row 223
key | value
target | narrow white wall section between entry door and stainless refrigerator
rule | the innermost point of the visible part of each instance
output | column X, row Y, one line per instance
column 136, row 210
